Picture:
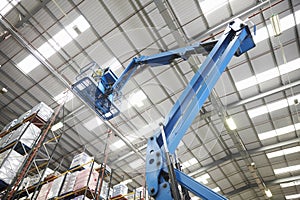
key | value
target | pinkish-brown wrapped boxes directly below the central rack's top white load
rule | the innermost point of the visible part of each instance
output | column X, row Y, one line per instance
column 82, row 179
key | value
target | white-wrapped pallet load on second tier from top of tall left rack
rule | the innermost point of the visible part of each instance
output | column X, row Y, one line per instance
column 29, row 133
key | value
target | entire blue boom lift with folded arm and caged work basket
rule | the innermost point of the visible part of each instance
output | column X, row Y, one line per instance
column 101, row 88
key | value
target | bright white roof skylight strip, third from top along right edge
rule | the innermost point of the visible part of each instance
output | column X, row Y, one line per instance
column 283, row 103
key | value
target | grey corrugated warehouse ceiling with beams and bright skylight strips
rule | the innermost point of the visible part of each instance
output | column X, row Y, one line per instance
column 260, row 90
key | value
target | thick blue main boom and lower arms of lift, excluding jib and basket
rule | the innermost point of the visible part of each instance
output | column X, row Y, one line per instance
column 236, row 39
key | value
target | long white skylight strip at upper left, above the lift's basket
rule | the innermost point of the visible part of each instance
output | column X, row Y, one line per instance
column 54, row 44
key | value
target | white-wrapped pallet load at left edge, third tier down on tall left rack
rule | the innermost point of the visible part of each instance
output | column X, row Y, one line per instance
column 10, row 162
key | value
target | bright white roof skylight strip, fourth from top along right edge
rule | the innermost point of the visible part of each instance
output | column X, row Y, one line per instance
column 280, row 131
